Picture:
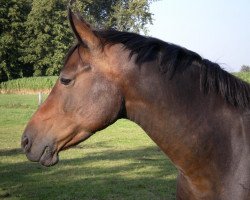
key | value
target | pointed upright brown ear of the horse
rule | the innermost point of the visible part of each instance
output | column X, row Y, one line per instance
column 83, row 31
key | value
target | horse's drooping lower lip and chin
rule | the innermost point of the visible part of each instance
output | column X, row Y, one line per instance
column 49, row 157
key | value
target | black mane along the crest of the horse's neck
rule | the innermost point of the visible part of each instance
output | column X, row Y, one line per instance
column 174, row 59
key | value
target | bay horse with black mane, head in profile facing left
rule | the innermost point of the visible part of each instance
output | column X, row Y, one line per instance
column 197, row 113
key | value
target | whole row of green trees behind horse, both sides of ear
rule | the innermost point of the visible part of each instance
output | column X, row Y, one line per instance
column 35, row 34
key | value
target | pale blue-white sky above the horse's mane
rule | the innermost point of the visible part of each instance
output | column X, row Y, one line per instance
column 217, row 30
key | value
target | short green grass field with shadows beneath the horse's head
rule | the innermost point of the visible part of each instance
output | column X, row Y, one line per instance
column 119, row 163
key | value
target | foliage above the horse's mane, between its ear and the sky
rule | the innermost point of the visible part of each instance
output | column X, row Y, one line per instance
column 123, row 15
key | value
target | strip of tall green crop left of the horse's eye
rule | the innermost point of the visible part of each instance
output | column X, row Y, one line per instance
column 27, row 84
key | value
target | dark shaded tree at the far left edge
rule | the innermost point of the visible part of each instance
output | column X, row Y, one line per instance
column 13, row 13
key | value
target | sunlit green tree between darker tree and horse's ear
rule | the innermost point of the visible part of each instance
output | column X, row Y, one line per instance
column 48, row 36
